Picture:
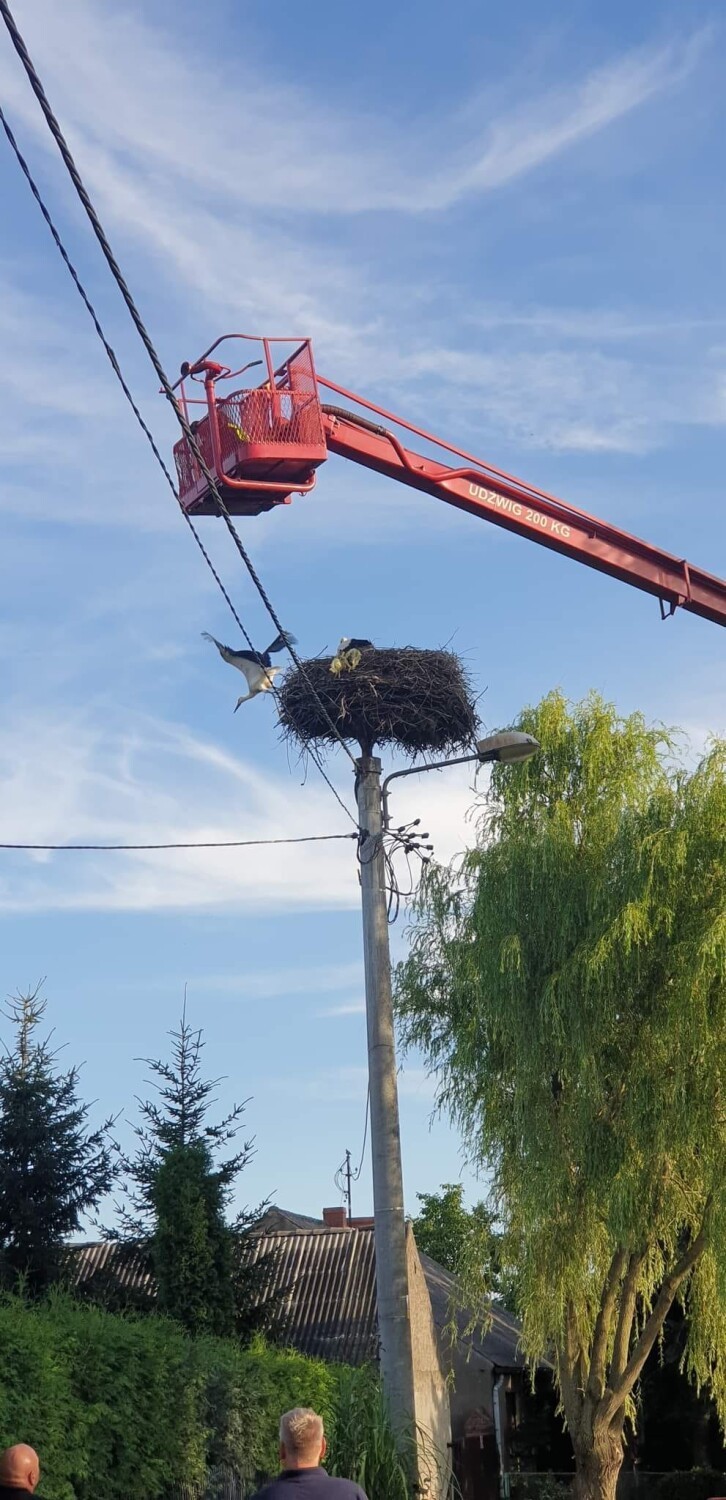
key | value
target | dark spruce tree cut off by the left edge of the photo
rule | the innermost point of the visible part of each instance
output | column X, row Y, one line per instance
column 53, row 1168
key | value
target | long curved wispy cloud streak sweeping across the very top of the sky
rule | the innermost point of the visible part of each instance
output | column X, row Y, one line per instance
column 100, row 61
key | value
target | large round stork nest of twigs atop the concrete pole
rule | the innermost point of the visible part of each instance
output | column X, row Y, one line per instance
column 418, row 701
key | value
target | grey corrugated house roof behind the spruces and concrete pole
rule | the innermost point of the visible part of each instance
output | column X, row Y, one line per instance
column 320, row 1285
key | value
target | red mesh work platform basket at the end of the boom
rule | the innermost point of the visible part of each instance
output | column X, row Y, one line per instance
column 263, row 443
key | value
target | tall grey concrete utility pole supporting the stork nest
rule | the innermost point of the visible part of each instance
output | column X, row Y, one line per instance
column 391, row 1234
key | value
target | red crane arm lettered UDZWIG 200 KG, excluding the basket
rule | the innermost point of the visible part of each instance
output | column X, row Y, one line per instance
column 523, row 509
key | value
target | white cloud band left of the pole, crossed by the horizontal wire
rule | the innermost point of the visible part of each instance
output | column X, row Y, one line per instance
column 154, row 784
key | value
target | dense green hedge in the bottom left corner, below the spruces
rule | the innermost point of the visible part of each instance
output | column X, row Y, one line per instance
column 104, row 1400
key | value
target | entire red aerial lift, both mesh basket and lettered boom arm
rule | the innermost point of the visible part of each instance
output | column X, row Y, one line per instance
column 265, row 445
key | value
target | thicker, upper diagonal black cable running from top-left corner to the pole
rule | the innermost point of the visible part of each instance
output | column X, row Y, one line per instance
column 76, row 178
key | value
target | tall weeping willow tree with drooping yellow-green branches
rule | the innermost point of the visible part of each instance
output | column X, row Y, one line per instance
column 568, row 983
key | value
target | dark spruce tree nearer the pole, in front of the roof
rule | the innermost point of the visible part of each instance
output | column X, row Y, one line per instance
column 179, row 1193
